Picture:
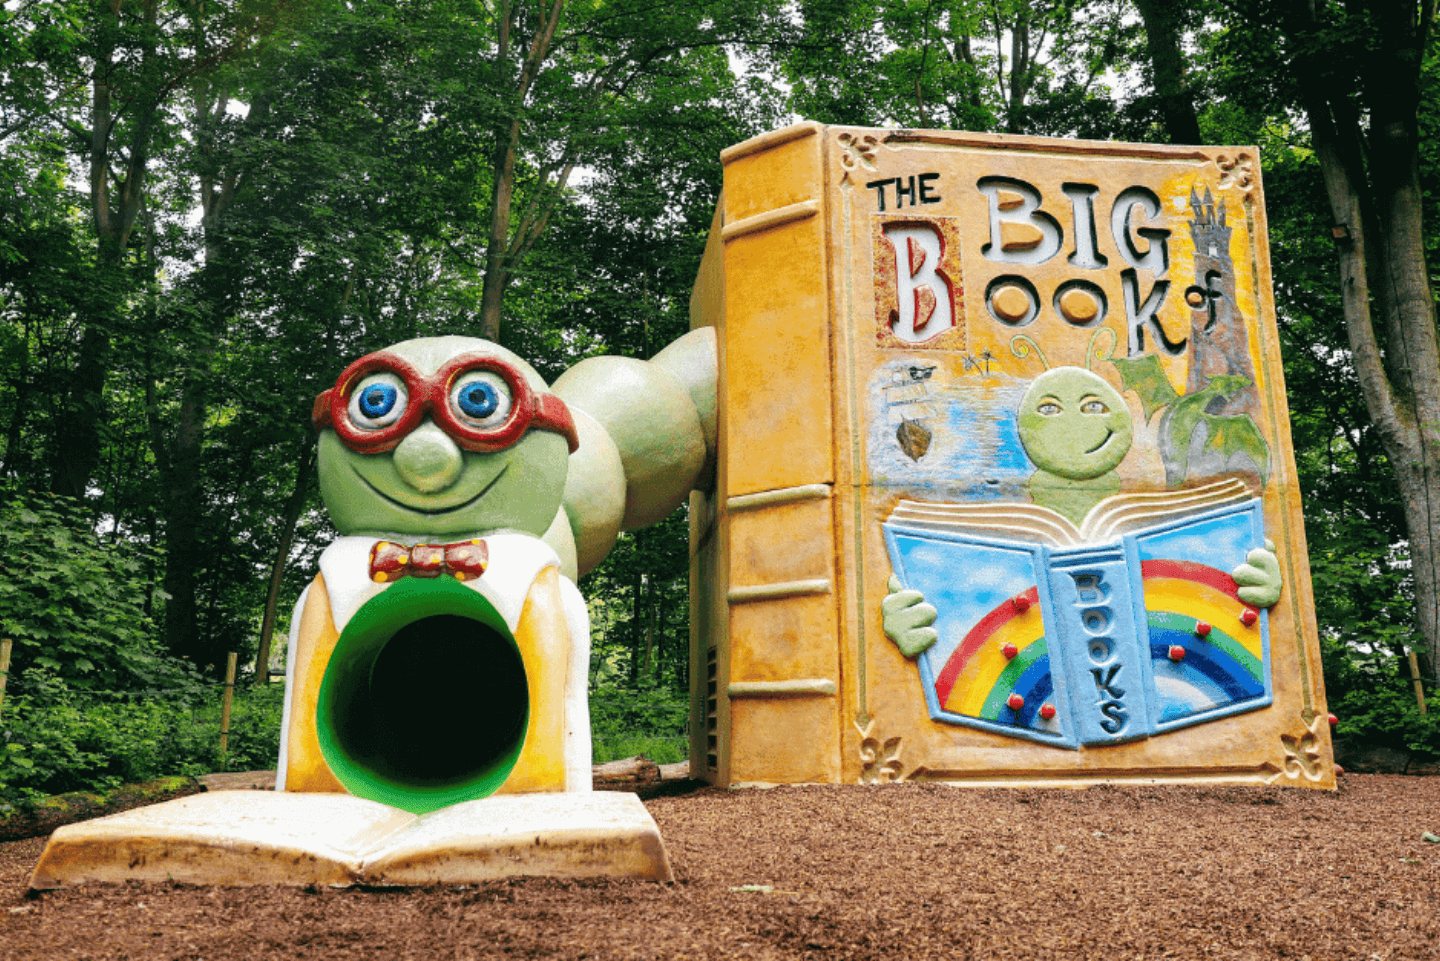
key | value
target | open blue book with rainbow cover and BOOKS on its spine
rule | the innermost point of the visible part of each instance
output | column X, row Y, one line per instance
column 1124, row 627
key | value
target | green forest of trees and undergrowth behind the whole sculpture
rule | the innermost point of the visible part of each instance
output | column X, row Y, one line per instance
column 210, row 207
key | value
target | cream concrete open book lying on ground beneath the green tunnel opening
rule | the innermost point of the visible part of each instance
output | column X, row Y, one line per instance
column 251, row 838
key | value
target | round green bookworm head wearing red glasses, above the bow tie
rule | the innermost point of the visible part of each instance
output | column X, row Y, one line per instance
column 443, row 436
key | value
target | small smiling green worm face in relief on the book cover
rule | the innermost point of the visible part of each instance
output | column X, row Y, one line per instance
column 1075, row 426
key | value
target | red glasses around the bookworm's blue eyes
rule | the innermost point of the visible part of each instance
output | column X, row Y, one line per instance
column 485, row 404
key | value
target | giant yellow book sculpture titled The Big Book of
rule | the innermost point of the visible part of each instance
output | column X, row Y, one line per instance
column 1004, row 489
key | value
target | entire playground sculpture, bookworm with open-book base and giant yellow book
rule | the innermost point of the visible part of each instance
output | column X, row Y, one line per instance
column 994, row 485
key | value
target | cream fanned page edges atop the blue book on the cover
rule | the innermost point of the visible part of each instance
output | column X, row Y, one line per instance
column 1033, row 524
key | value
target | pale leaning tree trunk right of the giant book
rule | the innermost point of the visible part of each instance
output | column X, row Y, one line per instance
column 1376, row 201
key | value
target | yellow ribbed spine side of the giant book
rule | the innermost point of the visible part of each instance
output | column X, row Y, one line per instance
column 767, row 658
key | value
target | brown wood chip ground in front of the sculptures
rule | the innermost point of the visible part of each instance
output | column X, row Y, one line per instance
column 895, row 872
